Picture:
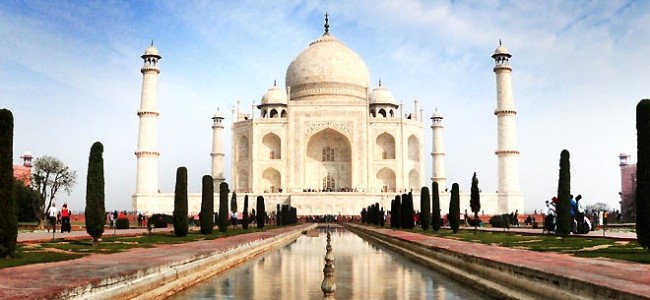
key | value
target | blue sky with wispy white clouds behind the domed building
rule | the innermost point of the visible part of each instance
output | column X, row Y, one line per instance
column 70, row 73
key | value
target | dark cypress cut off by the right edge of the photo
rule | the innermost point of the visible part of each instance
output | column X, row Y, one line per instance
column 642, row 197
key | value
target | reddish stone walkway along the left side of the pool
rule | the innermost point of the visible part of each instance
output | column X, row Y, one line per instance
column 53, row 280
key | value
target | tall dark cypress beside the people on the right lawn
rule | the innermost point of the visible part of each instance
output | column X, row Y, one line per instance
column 564, row 196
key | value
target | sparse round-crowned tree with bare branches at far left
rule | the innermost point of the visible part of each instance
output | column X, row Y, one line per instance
column 48, row 177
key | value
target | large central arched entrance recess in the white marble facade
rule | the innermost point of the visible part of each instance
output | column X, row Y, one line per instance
column 328, row 162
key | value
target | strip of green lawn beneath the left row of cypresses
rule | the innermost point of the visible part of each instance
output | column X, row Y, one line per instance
column 32, row 253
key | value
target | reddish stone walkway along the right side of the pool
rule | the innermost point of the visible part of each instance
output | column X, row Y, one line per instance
column 631, row 280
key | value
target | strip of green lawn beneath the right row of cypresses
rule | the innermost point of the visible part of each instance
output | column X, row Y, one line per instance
column 577, row 246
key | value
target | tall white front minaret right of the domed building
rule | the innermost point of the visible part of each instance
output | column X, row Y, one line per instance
column 509, row 195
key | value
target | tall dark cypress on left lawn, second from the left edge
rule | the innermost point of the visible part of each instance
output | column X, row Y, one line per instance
column 95, row 208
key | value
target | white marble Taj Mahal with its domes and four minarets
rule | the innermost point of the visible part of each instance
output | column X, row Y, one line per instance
column 328, row 143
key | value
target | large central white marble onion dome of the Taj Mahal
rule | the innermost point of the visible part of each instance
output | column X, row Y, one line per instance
column 327, row 67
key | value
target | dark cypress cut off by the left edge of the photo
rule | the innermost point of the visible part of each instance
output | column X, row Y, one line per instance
column 8, row 218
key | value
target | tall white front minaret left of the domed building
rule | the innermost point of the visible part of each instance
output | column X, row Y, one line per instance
column 147, row 153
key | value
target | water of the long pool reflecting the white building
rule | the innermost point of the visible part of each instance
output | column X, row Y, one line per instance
column 363, row 271
